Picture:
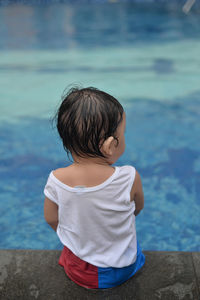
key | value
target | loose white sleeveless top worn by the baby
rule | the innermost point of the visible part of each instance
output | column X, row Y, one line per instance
column 97, row 223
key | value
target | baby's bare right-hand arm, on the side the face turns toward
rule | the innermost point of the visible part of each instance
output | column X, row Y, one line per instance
column 137, row 194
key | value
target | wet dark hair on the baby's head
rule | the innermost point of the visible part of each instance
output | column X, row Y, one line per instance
column 86, row 118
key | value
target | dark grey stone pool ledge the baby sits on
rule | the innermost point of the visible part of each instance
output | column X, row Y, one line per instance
column 35, row 274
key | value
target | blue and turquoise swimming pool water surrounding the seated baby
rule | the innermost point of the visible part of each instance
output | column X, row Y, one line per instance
column 146, row 55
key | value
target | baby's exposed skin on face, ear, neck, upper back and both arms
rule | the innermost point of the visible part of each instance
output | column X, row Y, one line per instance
column 90, row 172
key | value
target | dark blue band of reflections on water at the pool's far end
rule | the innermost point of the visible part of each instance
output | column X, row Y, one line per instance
column 56, row 26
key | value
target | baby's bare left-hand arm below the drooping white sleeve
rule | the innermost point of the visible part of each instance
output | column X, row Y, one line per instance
column 51, row 213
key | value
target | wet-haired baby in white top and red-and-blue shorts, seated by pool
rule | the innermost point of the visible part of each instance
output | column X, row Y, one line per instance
column 92, row 204
